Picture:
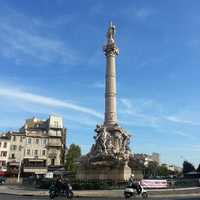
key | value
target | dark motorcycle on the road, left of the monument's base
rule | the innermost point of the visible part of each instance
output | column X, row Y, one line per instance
column 54, row 191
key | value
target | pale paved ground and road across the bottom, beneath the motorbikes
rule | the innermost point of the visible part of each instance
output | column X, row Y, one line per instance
column 20, row 193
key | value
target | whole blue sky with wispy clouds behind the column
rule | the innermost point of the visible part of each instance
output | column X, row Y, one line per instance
column 51, row 62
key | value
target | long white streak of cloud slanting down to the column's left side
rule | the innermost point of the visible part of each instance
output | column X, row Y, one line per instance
column 14, row 93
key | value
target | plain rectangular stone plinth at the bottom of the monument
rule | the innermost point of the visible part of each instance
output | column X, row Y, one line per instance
column 114, row 173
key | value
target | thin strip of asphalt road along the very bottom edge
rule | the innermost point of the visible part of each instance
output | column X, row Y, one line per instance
column 13, row 197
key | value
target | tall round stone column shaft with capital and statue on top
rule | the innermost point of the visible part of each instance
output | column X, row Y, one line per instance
column 111, row 51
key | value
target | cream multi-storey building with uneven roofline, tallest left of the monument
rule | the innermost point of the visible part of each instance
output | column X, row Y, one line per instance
column 37, row 147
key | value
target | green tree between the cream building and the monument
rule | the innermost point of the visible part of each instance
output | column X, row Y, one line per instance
column 71, row 158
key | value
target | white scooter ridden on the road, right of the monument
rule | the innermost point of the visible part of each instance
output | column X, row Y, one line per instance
column 131, row 192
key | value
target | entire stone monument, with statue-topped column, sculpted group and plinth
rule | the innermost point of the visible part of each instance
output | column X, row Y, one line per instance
column 109, row 155
